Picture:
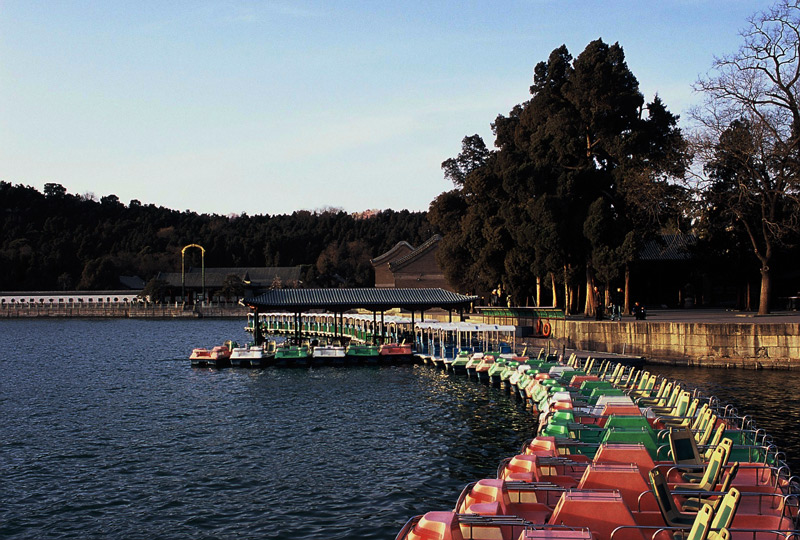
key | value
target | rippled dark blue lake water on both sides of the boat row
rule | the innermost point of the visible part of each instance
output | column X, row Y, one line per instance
column 107, row 432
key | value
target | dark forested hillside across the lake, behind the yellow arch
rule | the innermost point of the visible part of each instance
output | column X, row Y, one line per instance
column 59, row 241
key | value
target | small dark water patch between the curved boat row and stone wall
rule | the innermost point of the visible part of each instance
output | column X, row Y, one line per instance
column 771, row 398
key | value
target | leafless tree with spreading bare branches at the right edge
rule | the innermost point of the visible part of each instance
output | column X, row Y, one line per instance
column 749, row 135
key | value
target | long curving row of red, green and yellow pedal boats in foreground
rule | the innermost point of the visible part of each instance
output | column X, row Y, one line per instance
column 620, row 454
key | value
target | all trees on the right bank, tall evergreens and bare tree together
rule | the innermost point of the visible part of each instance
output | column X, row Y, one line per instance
column 586, row 173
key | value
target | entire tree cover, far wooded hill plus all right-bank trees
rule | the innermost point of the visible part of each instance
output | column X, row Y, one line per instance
column 580, row 177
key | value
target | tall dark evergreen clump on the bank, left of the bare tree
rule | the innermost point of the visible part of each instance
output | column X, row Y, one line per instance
column 579, row 179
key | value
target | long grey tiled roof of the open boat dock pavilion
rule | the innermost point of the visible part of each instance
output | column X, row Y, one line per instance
column 341, row 300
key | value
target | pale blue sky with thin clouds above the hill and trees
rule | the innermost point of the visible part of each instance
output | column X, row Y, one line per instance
column 270, row 107
